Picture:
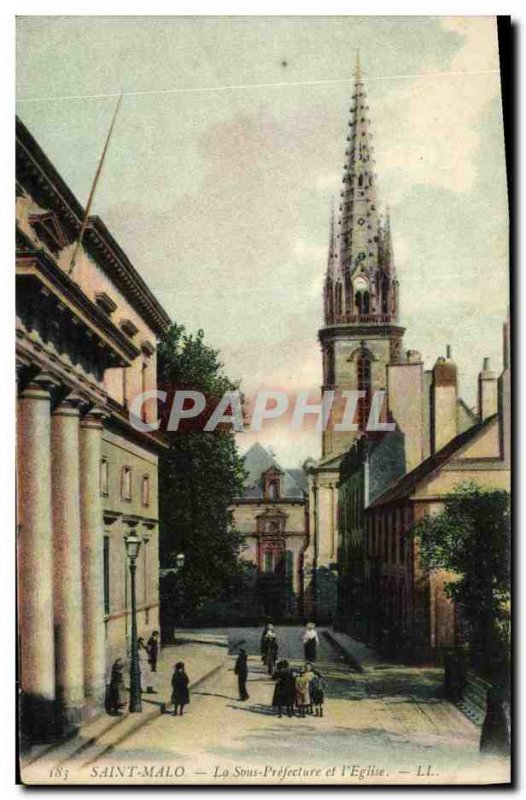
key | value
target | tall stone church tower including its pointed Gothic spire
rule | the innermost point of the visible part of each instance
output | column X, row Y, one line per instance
column 361, row 334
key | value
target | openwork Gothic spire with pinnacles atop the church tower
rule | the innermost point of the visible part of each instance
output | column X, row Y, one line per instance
column 364, row 292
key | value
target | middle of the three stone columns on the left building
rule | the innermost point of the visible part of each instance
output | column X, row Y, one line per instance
column 67, row 573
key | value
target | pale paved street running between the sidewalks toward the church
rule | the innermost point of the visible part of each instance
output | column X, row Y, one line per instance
column 385, row 725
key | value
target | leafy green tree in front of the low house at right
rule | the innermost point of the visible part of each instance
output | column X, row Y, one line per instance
column 471, row 537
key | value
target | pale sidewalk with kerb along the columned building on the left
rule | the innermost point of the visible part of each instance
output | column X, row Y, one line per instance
column 202, row 656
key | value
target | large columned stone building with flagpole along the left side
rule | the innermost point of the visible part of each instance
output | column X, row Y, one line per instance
column 86, row 478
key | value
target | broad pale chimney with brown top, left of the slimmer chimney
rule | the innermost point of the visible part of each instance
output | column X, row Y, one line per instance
column 443, row 402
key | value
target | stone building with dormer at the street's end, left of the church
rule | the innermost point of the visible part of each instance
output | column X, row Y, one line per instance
column 272, row 515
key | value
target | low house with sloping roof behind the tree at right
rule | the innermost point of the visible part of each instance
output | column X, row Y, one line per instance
column 398, row 595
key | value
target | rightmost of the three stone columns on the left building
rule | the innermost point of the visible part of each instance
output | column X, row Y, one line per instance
column 92, row 547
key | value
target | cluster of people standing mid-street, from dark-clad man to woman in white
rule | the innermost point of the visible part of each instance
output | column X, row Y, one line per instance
column 299, row 689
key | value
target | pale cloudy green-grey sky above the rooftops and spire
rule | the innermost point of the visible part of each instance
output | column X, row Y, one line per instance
column 228, row 147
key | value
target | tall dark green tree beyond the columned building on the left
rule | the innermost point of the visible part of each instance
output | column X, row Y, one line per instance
column 198, row 479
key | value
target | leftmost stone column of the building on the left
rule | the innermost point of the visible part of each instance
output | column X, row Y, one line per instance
column 35, row 563
